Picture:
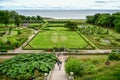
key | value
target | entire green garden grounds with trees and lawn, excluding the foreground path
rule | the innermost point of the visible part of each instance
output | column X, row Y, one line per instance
column 59, row 35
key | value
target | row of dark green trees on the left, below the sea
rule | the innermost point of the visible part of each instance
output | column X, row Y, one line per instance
column 8, row 17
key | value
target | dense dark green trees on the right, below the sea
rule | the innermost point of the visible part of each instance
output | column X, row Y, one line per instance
column 105, row 20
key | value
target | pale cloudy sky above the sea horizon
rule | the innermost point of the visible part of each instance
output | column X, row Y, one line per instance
column 59, row 4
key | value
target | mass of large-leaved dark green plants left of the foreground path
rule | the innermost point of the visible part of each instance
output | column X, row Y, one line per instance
column 25, row 65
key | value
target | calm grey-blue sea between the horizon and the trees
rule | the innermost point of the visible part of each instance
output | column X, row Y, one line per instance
column 64, row 14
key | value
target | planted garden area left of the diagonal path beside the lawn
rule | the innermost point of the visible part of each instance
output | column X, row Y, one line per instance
column 13, row 37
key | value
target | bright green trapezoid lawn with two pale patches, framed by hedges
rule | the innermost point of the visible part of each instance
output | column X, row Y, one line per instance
column 57, row 37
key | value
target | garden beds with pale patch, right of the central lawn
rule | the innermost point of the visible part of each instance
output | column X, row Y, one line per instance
column 101, row 37
